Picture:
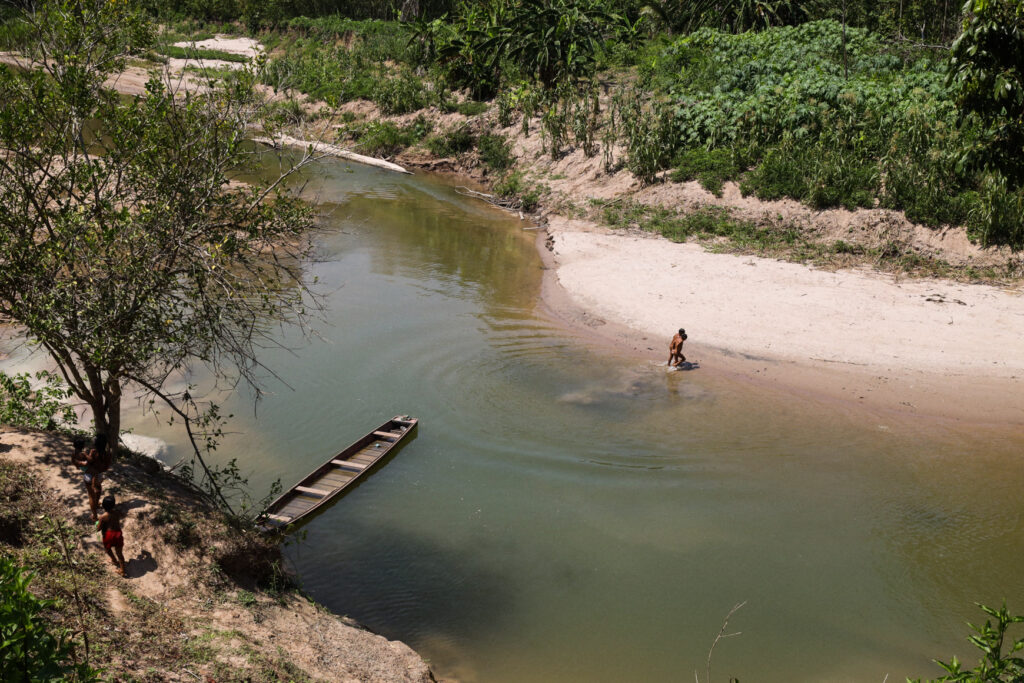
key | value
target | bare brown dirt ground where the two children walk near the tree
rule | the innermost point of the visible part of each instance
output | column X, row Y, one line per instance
column 225, row 626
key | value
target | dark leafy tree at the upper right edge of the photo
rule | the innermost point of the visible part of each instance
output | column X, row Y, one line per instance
column 988, row 75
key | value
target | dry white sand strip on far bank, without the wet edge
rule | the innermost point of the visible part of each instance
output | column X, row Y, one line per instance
column 790, row 312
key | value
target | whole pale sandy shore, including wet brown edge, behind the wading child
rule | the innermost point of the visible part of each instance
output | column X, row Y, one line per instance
column 926, row 348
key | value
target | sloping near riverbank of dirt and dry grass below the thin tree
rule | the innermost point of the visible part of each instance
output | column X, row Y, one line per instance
column 196, row 604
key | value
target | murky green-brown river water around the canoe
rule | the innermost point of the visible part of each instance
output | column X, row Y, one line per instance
column 569, row 515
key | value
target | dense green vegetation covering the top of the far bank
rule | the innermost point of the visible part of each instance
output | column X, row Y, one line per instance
column 784, row 98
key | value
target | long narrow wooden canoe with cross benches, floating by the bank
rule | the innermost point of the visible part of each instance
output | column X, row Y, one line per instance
column 338, row 474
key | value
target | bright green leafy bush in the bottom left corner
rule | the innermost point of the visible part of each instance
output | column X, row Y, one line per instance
column 29, row 650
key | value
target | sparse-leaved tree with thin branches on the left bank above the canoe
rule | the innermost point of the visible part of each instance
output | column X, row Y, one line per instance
column 125, row 250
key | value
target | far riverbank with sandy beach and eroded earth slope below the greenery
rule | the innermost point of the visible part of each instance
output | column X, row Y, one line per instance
column 852, row 312
